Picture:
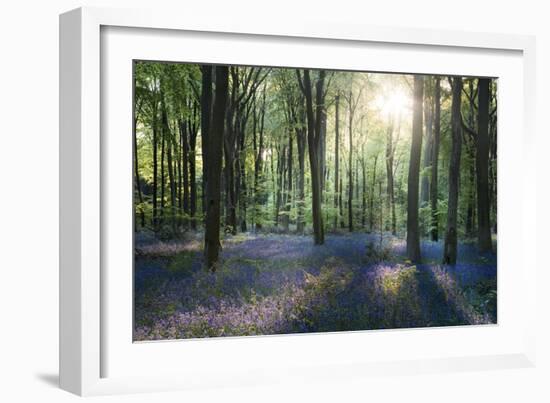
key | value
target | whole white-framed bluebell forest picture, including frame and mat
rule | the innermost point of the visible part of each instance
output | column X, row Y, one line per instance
column 241, row 202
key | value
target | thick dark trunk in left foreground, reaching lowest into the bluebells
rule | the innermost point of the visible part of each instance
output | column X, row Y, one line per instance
column 213, row 191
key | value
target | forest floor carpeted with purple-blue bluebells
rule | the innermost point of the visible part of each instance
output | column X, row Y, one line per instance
column 273, row 284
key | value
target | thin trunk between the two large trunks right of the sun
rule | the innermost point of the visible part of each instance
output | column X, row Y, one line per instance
column 435, row 159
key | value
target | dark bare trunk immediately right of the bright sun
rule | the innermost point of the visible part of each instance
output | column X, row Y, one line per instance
column 413, row 233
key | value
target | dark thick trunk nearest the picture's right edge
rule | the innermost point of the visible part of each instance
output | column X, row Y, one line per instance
column 482, row 167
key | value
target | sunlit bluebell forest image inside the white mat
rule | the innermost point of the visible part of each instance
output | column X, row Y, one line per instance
column 272, row 200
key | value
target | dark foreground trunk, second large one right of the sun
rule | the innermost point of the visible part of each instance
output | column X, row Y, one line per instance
column 451, row 236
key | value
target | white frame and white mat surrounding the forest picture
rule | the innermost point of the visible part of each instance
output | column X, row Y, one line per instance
column 88, row 318
